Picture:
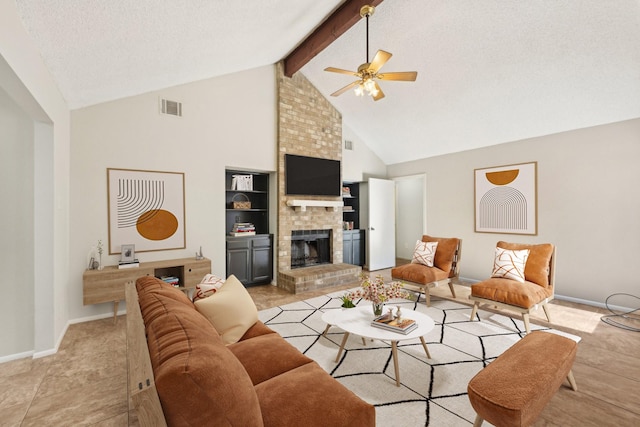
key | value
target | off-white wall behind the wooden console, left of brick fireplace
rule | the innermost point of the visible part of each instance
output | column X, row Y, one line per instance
column 228, row 121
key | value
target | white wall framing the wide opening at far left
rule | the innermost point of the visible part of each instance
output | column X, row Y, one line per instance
column 25, row 79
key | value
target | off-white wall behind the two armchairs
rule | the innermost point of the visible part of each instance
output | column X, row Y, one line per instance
column 588, row 205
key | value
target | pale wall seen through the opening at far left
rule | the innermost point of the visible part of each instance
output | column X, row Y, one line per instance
column 16, row 228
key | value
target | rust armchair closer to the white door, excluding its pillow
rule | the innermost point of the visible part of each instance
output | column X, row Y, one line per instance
column 446, row 266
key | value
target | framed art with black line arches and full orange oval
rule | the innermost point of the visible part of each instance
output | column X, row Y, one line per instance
column 146, row 208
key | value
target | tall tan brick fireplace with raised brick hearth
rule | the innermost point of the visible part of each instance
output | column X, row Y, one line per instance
column 308, row 125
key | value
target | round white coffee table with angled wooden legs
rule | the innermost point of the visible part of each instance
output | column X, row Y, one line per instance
column 358, row 321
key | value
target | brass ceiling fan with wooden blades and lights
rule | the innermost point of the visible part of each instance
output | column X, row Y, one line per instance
column 368, row 72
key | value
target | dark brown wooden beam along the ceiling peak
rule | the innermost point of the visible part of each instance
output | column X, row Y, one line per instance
column 333, row 27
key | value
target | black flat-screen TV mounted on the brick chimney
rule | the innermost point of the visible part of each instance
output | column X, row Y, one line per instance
column 311, row 176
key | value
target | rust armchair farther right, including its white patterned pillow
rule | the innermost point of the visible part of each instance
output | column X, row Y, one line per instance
column 522, row 280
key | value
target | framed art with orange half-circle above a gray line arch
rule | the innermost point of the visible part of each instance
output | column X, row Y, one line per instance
column 506, row 199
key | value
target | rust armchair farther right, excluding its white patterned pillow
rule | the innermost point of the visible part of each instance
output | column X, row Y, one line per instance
column 536, row 290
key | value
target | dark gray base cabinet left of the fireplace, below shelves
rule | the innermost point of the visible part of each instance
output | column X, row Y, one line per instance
column 250, row 259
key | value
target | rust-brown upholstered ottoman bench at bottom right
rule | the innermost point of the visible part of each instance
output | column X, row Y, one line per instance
column 514, row 389
